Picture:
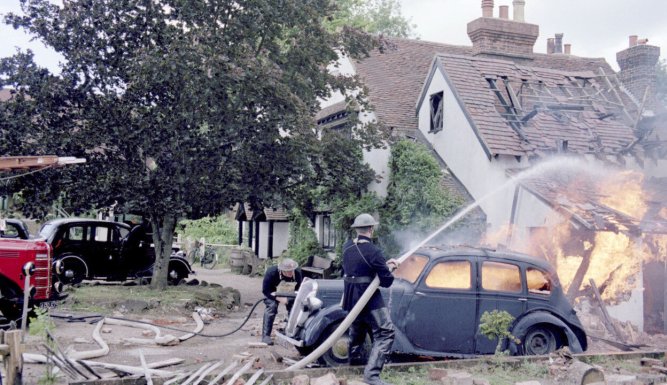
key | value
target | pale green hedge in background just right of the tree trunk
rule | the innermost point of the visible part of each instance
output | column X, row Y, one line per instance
column 220, row 229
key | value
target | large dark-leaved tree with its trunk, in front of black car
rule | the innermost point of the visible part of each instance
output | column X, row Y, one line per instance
column 182, row 107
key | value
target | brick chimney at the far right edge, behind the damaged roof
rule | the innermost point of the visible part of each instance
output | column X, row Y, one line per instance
column 637, row 63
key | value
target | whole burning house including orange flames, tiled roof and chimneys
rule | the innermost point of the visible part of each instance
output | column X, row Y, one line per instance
column 494, row 113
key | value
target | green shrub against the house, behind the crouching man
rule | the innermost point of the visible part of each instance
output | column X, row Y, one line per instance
column 303, row 241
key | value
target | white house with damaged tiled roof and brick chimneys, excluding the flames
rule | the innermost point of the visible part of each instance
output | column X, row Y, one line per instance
column 493, row 113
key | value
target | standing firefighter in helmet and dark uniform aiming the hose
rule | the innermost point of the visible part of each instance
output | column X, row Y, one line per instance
column 362, row 261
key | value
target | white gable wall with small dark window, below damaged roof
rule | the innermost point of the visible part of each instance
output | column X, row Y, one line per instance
column 460, row 148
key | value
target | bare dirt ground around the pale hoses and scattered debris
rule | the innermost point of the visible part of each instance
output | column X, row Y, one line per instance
column 77, row 336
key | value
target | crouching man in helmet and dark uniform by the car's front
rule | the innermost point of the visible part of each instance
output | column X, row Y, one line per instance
column 286, row 271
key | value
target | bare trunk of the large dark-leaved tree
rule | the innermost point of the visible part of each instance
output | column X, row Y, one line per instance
column 163, row 235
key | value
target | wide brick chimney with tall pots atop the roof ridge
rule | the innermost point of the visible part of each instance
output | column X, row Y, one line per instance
column 500, row 36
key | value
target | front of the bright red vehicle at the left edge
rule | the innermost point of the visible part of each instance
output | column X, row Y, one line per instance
column 16, row 257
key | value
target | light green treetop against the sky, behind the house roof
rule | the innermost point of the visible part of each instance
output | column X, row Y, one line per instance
column 373, row 16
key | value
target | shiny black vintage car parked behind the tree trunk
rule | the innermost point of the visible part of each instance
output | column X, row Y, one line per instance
column 95, row 249
